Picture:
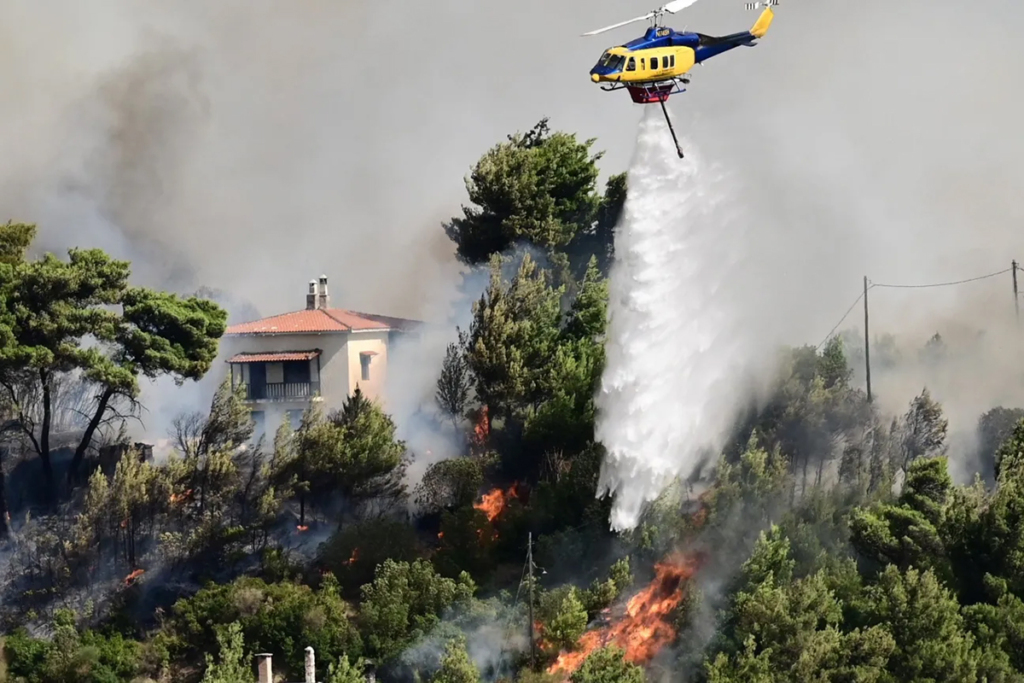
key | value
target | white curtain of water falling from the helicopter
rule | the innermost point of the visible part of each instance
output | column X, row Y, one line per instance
column 677, row 347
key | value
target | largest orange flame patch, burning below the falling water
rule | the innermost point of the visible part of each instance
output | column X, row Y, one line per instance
column 645, row 628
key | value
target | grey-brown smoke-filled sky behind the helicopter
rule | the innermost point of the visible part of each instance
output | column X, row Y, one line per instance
column 248, row 147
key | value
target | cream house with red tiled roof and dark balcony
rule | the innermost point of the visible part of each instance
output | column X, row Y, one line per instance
column 319, row 354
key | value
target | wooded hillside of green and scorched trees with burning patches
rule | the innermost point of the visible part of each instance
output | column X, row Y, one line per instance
column 832, row 544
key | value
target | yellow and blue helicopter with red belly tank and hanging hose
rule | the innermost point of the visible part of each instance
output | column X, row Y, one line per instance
column 656, row 66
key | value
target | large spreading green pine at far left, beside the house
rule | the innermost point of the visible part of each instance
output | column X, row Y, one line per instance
column 56, row 309
